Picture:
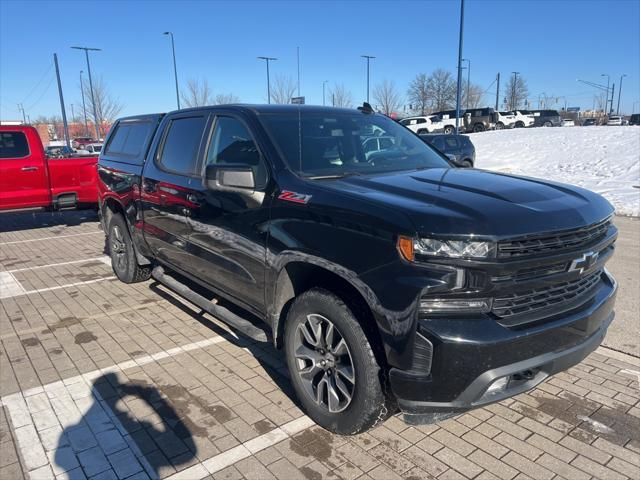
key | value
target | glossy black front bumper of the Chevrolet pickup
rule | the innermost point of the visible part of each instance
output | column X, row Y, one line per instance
column 480, row 362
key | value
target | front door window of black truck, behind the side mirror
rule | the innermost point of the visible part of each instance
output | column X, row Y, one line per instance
column 232, row 144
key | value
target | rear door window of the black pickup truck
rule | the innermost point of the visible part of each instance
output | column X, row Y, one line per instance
column 181, row 145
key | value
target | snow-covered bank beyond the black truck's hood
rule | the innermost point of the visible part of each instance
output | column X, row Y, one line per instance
column 604, row 159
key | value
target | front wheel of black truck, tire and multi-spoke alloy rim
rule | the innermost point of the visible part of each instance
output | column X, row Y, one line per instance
column 333, row 369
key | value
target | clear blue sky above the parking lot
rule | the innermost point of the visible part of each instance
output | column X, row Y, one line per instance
column 552, row 43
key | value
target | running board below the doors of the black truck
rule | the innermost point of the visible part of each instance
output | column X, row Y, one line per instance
column 241, row 324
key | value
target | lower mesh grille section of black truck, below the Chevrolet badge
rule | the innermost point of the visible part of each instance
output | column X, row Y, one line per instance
column 560, row 295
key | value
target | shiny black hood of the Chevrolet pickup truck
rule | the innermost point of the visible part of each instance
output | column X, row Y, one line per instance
column 459, row 201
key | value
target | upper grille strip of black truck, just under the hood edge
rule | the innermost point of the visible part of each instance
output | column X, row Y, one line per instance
column 559, row 241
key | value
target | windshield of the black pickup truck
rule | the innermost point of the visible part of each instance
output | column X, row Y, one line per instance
column 344, row 143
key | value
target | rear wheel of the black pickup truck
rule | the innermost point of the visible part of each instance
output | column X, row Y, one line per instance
column 123, row 258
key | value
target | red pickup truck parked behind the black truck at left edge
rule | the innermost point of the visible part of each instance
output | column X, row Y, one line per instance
column 31, row 180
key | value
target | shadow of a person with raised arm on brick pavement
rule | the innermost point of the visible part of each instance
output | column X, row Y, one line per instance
column 108, row 437
